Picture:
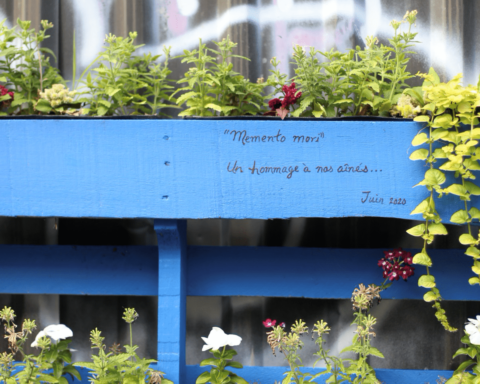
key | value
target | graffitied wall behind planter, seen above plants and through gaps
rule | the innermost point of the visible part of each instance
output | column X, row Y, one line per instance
column 407, row 331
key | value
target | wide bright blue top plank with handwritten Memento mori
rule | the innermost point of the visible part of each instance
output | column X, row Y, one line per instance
column 210, row 169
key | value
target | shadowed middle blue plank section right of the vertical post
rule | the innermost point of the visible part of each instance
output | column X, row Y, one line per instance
column 316, row 273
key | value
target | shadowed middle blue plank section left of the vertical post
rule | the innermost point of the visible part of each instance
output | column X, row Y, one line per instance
column 78, row 270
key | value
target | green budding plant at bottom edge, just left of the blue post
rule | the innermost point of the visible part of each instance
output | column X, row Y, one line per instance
column 120, row 367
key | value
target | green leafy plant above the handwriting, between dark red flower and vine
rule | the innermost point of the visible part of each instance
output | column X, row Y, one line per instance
column 366, row 81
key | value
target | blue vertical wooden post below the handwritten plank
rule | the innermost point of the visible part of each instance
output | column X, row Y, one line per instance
column 172, row 296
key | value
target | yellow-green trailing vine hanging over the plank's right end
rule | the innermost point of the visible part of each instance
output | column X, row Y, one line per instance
column 451, row 115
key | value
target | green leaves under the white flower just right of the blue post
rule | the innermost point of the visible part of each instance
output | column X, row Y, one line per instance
column 218, row 374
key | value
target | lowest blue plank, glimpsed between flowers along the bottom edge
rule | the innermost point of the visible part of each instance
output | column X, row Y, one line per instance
column 268, row 375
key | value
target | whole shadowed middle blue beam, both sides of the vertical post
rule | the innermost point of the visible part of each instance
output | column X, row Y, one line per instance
column 221, row 271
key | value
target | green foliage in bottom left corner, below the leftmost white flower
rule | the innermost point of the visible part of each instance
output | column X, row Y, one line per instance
column 51, row 365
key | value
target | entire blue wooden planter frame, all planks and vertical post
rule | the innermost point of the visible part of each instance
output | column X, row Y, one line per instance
column 171, row 170
